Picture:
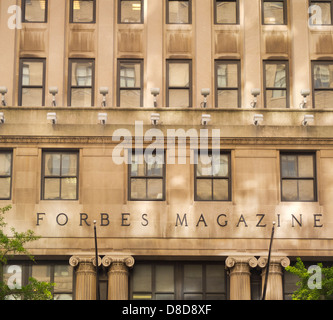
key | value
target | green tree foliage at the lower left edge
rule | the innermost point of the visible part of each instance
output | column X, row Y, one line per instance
column 14, row 244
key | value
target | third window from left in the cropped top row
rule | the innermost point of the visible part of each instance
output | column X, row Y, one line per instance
column 130, row 11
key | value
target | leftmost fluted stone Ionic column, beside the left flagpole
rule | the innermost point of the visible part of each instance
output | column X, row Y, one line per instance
column 85, row 271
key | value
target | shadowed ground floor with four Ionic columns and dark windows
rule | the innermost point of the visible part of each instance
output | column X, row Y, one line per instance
column 122, row 276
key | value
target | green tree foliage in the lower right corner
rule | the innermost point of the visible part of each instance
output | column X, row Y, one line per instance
column 323, row 288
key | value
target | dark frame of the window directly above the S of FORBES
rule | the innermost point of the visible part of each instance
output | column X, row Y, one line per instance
column 146, row 178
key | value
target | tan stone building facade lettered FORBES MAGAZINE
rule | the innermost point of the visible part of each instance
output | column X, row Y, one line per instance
column 94, row 85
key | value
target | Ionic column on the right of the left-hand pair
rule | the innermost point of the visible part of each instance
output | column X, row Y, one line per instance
column 118, row 276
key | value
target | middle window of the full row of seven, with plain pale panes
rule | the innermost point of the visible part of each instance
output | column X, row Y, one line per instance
column 179, row 83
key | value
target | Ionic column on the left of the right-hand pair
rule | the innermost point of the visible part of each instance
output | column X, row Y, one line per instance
column 240, row 285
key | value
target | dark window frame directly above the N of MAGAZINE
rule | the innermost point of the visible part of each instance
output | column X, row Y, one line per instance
column 314, row 178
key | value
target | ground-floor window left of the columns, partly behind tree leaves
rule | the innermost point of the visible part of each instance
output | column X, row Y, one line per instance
column 17, row 275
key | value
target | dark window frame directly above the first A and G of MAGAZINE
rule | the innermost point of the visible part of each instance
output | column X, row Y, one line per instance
column 211, row 177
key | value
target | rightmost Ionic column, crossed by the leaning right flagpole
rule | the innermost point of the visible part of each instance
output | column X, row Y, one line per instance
column 274, row 289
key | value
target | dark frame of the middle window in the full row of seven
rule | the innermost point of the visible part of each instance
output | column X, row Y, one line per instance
column 190, row 86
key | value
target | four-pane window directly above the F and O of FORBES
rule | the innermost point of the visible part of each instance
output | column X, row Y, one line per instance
column 60, row 175
